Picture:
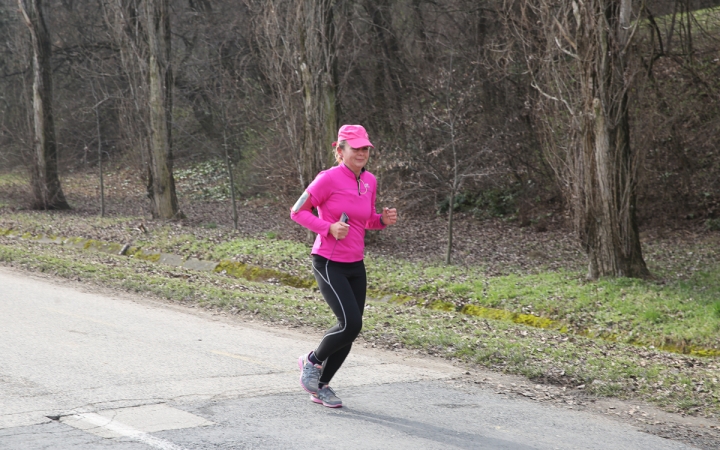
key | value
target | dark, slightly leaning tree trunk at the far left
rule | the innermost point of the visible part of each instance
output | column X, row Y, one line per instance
column 47, row 191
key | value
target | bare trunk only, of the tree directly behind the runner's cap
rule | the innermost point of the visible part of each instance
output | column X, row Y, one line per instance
column 319, row 79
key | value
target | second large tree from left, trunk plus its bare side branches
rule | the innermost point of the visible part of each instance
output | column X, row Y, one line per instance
column 142, row 31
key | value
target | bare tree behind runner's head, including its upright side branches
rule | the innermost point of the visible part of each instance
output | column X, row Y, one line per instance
column 298, row 43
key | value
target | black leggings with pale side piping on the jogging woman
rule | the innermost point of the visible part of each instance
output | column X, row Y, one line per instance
column 343, row 285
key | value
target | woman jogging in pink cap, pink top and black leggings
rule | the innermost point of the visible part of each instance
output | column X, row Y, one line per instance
column 344, row 196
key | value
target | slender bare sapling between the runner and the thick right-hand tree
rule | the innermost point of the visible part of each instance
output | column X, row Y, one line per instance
column 448, row 128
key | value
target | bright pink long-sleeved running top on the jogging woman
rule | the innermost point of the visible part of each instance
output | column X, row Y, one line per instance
column 333, row 192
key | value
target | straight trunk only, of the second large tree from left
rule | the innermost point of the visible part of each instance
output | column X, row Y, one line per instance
column 161, row 182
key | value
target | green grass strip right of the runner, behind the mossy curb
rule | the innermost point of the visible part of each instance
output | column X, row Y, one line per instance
column 679, row 315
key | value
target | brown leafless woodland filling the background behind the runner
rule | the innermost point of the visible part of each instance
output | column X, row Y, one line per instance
column 457, row 96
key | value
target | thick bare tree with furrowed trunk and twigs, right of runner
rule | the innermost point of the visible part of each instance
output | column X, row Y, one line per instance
column 578, row 54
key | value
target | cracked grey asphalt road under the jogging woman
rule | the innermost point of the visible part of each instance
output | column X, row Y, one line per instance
column 85, row 370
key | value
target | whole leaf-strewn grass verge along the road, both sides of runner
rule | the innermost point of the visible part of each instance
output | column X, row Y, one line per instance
column 635, row 319
